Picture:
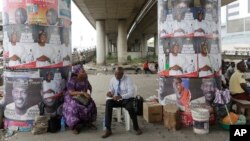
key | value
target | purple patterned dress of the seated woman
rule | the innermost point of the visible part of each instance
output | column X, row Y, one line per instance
column 75, row 113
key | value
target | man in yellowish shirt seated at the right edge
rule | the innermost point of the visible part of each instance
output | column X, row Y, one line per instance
column 237, row 83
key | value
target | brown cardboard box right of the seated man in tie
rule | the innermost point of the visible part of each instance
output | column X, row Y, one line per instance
column 152, row 112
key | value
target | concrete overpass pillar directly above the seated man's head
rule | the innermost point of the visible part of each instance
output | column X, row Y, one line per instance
column 122, row 42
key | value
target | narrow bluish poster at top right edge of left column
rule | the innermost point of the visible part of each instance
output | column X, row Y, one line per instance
column 64, row 9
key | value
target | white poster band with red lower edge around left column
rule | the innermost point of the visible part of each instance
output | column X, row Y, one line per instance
column 34, row 46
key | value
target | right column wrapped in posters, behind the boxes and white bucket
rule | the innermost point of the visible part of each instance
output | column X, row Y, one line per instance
column 189, row 53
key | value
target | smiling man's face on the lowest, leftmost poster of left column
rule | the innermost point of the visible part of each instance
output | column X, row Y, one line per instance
column 20, row 95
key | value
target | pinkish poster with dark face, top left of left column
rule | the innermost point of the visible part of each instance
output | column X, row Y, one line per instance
column 14, row 12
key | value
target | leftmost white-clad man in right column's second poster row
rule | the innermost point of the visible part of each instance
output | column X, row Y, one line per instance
column 176, row 61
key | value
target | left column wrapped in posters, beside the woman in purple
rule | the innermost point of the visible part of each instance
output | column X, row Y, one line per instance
column 37, row 58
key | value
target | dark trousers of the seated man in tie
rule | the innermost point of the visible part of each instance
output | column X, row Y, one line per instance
column 127, row 104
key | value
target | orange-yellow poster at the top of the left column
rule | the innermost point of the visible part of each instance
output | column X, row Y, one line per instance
column 42, row 12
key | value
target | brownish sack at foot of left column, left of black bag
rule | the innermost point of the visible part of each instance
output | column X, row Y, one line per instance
column 40, row 125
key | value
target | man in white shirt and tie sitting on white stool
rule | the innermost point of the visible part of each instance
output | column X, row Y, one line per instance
column 121, row 94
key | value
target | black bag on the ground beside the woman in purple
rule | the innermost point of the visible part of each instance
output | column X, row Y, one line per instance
column 54, row 124
